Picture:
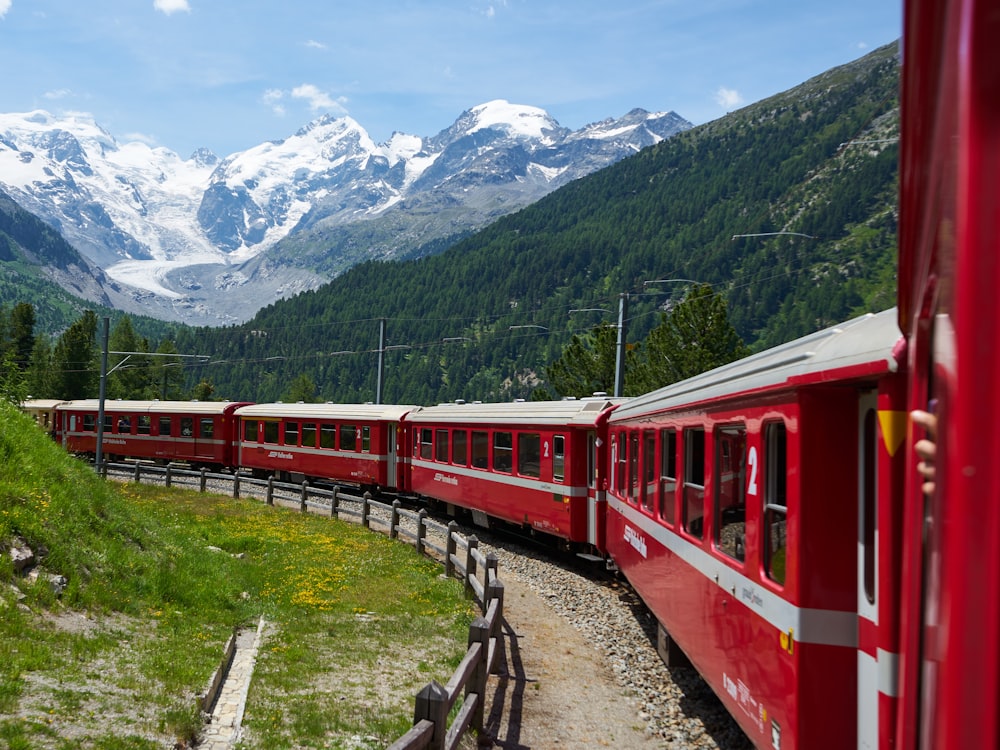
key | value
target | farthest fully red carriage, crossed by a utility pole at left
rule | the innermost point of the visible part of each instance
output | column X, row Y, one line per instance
column 201, row 433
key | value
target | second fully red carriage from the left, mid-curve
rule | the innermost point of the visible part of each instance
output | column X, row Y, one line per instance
column 352, row 443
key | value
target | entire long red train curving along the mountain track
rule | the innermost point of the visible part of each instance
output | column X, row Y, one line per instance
column 772, row 513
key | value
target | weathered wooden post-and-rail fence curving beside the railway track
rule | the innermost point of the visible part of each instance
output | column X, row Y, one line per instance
column 460, row 556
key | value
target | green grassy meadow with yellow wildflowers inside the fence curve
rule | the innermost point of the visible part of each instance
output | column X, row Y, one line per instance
column 157, row 579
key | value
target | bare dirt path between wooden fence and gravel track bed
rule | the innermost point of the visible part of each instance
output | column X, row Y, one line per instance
column 556, row 690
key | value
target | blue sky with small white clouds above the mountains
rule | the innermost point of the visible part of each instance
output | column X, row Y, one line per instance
column 229, row 75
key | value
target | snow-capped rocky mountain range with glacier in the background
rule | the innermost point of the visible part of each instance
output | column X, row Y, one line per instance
column 195, row 235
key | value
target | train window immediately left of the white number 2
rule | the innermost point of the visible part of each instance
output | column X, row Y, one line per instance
column 730, row 483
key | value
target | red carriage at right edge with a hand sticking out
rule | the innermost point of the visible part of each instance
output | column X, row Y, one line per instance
column 949, row 309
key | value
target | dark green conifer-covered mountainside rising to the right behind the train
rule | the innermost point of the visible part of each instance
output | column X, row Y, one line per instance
column 810, row 175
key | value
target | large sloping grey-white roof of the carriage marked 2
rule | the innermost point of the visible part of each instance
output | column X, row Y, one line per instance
column 860, row 347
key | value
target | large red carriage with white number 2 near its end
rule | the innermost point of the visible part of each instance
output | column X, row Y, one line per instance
column 744, row 507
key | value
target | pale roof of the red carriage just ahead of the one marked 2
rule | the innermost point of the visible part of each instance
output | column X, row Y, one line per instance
column 578, row 412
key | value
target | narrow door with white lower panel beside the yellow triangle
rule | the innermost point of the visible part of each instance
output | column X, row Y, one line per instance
column 870, row 657
